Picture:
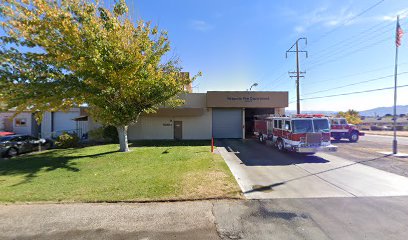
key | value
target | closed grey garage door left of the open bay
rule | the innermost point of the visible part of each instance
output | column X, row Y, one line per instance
column 227, row 123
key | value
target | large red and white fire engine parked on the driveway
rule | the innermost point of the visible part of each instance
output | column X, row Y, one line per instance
column 300, row 133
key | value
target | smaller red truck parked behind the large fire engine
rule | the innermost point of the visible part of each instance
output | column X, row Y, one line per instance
column 341, row 129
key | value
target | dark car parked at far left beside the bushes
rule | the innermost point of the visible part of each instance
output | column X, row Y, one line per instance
column 13, row 145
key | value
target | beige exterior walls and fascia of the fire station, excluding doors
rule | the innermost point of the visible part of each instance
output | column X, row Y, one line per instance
column 196, row 114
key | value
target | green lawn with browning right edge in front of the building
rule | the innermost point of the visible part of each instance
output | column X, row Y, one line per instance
column 151, row 171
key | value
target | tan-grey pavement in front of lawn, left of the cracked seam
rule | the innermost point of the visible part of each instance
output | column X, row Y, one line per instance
column 179, row 220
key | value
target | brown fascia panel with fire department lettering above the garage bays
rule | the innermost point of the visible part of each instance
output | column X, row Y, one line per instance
column 247, row 99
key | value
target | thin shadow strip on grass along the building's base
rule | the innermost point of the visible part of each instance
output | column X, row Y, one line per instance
column 169, row 143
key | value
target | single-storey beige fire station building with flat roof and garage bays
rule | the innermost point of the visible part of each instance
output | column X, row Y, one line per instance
column 218, row 114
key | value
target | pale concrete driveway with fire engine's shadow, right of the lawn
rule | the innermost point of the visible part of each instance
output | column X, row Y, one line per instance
column 264, row 173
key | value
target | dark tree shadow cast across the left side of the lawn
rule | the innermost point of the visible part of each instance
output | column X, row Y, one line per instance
column 31, row 164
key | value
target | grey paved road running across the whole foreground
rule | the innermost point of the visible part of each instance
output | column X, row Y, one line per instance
column 325, row 218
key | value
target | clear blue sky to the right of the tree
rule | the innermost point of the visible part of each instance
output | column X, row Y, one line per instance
column 236, row 43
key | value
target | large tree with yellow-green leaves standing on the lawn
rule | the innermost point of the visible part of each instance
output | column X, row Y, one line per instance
column 59, row 54
